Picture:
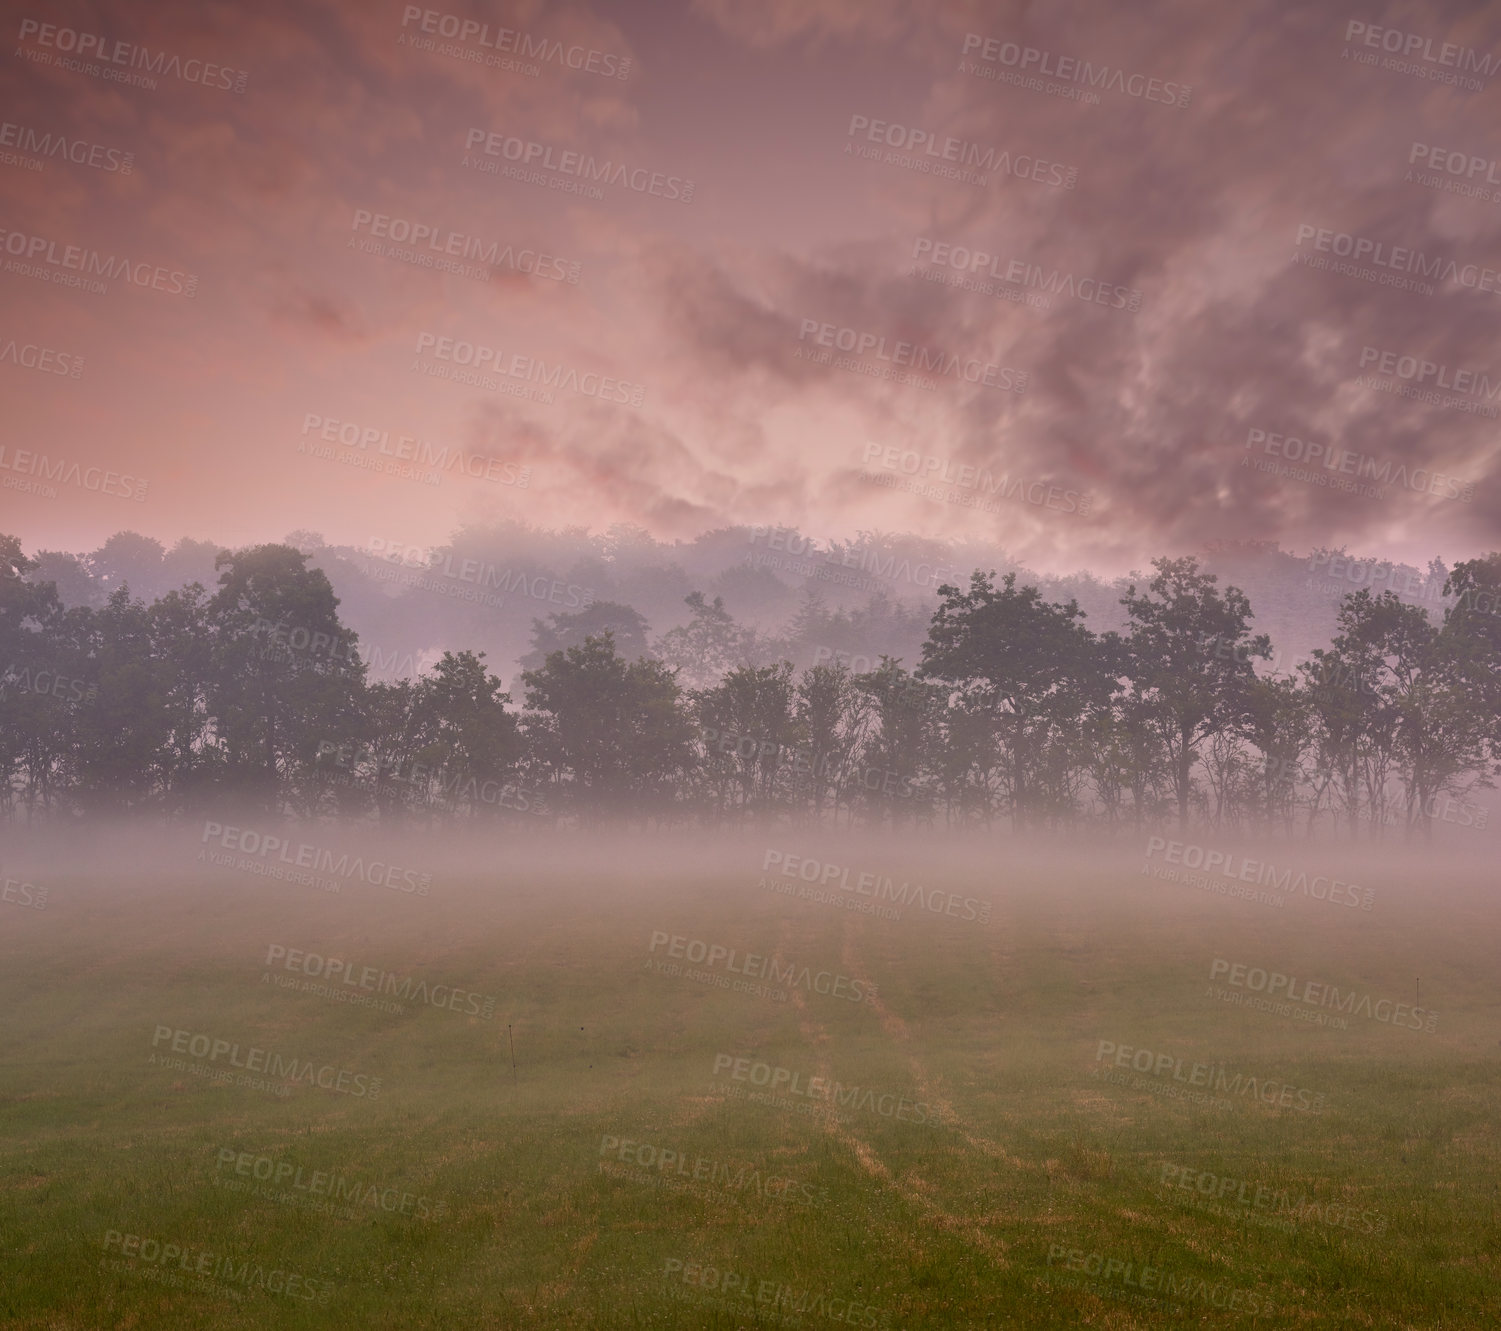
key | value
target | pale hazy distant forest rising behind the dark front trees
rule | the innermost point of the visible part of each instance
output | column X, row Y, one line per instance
column 808, row 599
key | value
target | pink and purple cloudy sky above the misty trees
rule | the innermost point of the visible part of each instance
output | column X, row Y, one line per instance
column 1090, row 281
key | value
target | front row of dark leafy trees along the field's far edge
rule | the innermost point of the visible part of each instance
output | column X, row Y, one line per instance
column 1015, row 714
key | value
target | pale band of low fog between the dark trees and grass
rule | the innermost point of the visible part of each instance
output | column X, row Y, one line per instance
column 423, row 862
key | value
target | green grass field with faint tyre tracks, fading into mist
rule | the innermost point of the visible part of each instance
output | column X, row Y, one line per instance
column 622, row 1174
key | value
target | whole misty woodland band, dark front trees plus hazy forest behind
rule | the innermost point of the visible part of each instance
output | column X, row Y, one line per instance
column 140, row 681
